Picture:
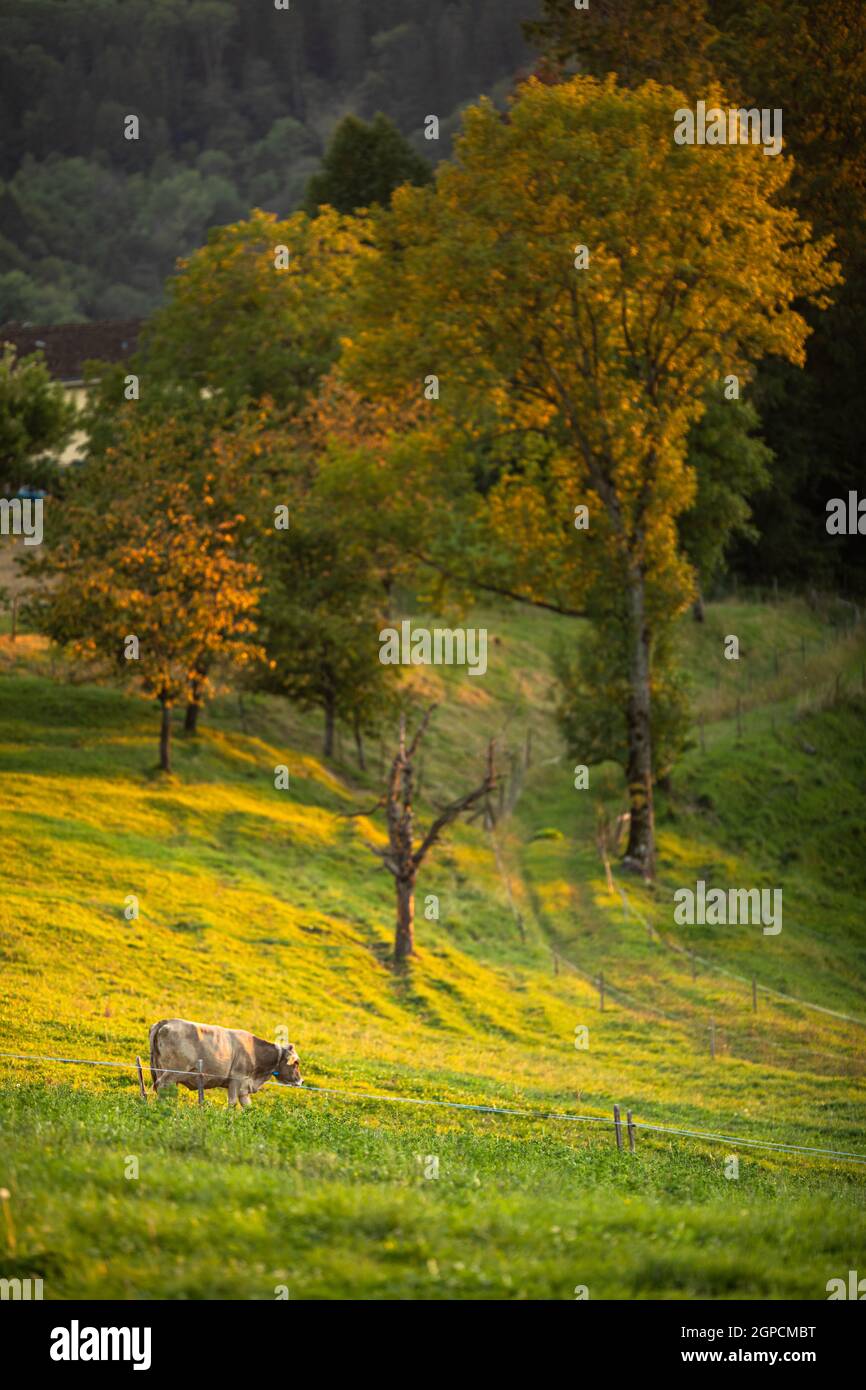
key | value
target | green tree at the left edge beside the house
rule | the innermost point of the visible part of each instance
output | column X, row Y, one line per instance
column 35, row 419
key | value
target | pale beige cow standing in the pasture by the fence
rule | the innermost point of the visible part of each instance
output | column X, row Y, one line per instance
column 231, row 1058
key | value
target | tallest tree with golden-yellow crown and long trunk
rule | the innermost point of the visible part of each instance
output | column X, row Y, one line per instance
column 587, row 277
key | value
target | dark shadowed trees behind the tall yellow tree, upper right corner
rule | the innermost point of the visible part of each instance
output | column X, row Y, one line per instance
column 810, row 63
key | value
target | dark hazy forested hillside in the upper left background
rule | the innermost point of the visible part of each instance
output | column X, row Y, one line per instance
column 236, row 101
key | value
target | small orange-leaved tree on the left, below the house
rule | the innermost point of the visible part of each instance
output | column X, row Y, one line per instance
column 144, row 578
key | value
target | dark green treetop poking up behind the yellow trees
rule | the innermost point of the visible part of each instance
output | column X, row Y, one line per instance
column 363, row 165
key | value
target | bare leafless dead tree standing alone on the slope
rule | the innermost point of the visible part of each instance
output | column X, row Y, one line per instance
column 404, row 857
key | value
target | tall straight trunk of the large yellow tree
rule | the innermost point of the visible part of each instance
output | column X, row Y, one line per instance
column 642, row 850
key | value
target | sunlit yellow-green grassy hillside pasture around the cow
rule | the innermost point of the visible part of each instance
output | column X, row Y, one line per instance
column 262, row 908
